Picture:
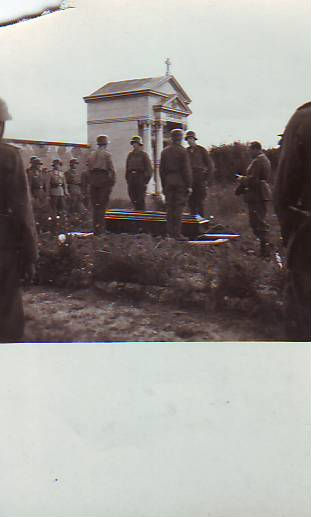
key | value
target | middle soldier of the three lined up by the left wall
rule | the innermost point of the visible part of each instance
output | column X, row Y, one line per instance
column 56, row 187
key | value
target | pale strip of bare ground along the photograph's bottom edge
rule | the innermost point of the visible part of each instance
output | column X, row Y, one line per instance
column 84, row 316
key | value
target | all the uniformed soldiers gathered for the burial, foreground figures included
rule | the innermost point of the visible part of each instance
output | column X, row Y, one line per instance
column 183, row 172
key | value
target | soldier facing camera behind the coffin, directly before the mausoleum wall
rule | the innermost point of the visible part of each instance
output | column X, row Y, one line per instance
column 138, row 173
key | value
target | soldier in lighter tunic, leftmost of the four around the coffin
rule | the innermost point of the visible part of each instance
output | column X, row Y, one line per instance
column 101, row 180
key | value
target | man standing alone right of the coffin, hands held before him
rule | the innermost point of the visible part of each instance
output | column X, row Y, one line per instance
column 256, row 190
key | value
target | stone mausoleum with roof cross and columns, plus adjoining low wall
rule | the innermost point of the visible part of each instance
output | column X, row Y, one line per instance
column 148, row 107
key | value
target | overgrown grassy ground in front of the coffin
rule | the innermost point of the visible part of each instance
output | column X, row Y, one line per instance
column 143, row 288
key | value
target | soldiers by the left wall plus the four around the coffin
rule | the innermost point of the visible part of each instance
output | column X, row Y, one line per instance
column 183, row 174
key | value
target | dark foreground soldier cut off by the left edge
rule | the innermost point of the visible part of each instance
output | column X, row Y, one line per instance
column 18, row 251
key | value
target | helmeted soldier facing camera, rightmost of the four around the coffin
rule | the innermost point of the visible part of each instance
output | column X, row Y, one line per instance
column 202, row 166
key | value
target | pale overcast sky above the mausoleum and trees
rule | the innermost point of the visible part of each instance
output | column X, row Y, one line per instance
column 244, row 63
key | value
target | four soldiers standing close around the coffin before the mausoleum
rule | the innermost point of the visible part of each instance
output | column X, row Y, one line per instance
column 183, row 174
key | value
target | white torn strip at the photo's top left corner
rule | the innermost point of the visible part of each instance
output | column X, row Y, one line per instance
column 31, row 10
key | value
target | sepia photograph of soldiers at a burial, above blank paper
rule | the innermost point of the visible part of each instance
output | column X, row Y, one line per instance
column 155, row 171
